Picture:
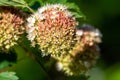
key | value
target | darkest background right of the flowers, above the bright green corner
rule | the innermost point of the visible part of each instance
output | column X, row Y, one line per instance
column 105, row 15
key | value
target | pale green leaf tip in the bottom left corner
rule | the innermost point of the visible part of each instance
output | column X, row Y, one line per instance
column 8, row 76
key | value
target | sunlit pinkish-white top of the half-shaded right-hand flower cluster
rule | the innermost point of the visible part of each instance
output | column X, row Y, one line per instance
column 88, row 35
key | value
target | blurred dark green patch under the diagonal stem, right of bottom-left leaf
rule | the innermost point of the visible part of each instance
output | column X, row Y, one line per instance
column 28, row 69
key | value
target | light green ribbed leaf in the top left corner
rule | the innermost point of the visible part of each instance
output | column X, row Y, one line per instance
column 16, row 3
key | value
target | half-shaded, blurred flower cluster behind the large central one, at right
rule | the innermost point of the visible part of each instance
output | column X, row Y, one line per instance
column 84, row 54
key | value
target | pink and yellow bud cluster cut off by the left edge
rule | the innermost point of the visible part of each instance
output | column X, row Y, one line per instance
column 11, row 27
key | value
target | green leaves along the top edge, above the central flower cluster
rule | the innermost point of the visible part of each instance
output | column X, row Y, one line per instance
column 24, row 3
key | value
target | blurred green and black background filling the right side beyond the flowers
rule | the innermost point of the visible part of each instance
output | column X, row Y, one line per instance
column 105, row 14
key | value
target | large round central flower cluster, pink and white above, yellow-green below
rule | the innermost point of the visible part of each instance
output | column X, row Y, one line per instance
column 52, row 27
